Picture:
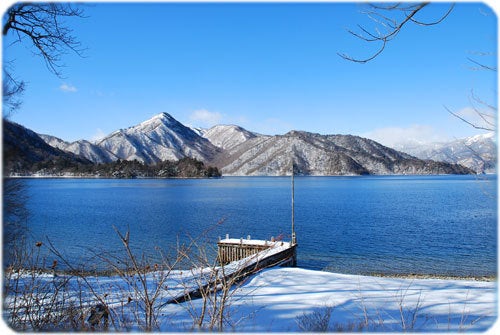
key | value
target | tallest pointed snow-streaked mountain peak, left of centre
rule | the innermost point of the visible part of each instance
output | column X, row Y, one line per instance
column 157, row 139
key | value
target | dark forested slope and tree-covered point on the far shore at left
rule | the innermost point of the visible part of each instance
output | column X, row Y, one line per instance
column 25, row 154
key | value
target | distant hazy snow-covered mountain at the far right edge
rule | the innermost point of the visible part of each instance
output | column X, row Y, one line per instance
column 476, row 152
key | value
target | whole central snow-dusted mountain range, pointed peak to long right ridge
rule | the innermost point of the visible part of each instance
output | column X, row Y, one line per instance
column 237, row 151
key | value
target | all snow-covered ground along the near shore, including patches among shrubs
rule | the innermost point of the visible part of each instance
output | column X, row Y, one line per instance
column 296, row 299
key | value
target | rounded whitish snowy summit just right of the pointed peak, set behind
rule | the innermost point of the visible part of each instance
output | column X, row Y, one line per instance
column 228, row 136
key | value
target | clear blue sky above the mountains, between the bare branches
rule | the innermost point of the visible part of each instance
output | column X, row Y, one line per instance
column 269, row 67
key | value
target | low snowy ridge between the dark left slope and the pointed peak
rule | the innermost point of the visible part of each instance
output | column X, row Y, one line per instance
column 83, row 148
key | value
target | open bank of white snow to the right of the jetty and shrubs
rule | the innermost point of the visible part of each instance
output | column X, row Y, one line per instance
column 279, row 298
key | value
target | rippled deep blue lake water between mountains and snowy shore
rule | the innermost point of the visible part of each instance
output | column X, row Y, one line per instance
column 444, row 225
